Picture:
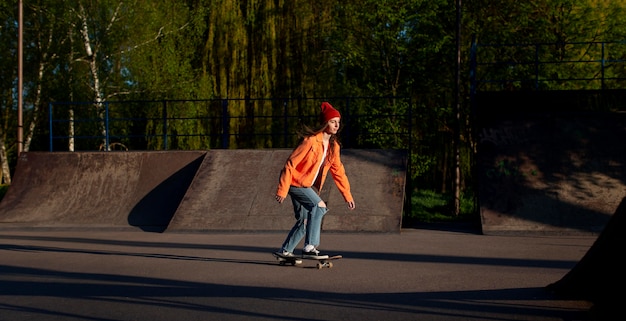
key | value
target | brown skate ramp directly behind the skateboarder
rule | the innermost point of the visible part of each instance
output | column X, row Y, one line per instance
column 234, row 190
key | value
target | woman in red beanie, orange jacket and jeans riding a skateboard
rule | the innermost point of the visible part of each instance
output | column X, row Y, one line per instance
column 303, row 178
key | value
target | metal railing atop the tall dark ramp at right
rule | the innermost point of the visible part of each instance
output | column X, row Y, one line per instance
column 548, row 66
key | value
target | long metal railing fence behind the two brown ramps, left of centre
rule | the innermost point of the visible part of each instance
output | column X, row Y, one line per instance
column 367, row 122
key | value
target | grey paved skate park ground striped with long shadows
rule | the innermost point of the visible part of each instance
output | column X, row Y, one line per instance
column 419, row 274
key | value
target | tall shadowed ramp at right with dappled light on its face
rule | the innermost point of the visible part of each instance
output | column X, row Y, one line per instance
column 545, row 167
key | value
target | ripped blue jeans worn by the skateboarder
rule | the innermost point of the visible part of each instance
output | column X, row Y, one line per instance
column 308, row 215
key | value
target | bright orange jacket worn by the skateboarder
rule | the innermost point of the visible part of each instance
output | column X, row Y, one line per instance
column 302, row 164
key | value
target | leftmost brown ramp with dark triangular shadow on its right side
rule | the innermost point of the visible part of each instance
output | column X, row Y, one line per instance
column 96, row 189
